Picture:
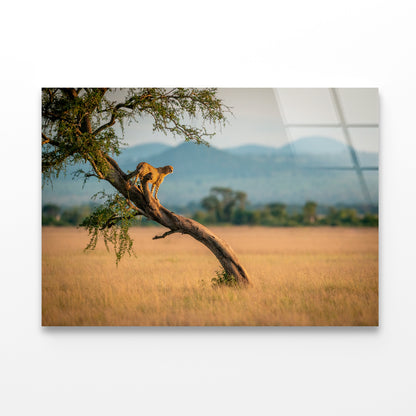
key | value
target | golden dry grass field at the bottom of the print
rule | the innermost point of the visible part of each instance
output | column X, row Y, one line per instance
column 300, row 276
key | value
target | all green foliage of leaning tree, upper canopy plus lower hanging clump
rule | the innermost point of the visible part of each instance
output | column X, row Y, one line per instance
column 78, row 125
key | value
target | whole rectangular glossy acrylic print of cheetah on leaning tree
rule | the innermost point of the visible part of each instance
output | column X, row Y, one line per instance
column 210, row 207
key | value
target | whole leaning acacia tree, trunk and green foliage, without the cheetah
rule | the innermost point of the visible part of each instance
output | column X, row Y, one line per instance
column 78, row 126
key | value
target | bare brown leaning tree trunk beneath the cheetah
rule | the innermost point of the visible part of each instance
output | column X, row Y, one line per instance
column 152, row 209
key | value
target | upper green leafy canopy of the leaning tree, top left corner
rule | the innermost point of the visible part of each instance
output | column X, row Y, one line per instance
column 78, row 124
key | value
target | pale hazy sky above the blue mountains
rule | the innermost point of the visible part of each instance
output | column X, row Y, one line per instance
column 257, row 119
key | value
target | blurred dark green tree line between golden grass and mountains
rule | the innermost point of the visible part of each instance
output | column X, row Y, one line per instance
column 226, row 206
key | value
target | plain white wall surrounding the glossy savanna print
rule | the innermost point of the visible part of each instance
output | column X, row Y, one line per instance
column 192, row 371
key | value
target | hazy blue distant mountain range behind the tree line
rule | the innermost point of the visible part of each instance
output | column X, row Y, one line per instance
column 289, row 174
